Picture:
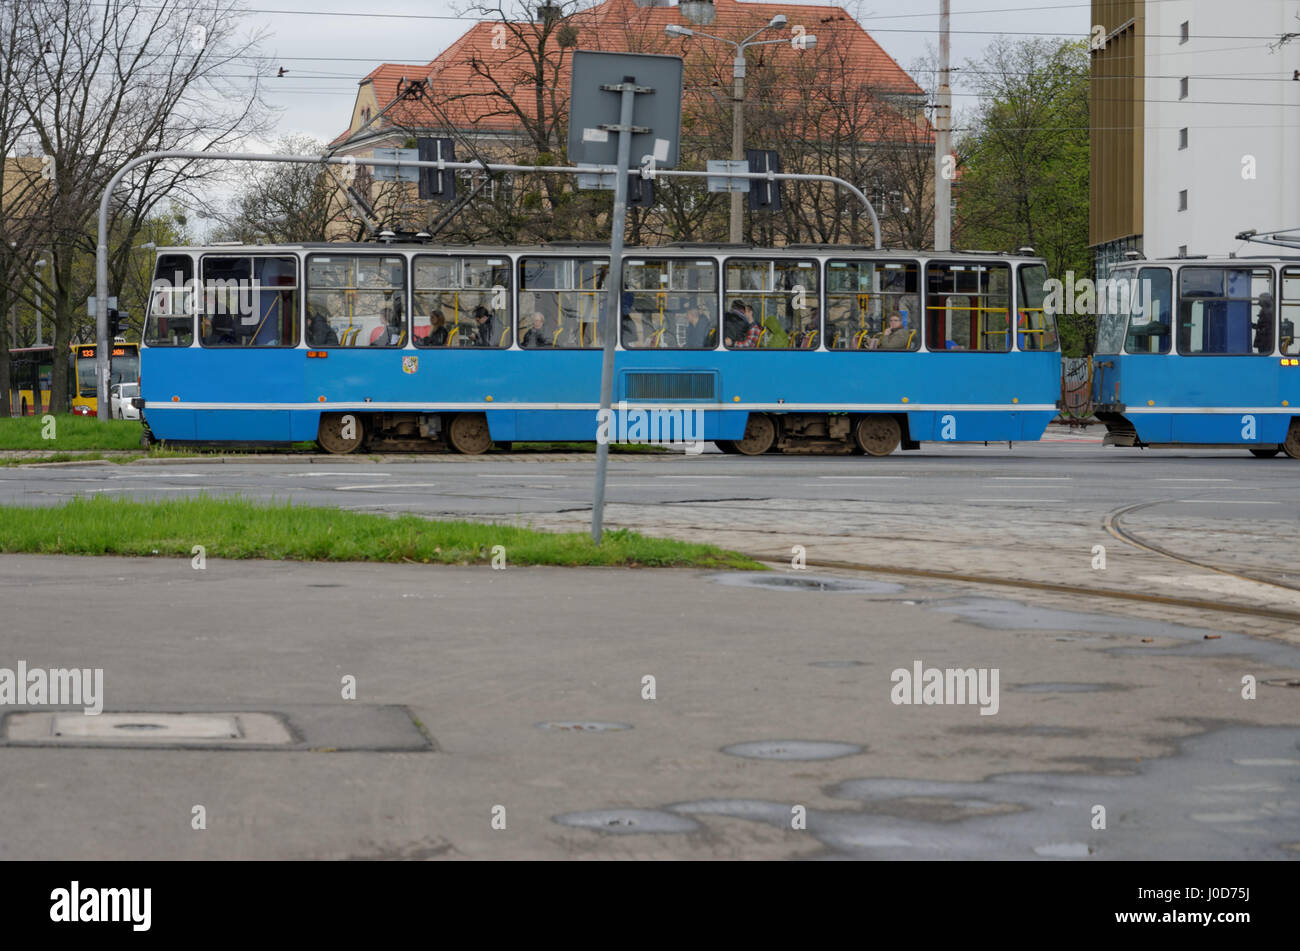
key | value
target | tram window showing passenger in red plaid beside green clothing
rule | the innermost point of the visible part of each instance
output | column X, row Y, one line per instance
column 781, row 297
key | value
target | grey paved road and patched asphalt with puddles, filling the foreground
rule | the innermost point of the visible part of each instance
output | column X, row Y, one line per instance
column 474, row 684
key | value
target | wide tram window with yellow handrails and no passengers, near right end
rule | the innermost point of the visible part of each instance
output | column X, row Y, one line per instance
column 968, row 307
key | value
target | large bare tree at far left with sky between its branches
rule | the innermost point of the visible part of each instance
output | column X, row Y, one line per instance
column 102, row 85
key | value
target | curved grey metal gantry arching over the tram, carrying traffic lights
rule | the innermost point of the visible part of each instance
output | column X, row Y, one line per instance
column 621, row 175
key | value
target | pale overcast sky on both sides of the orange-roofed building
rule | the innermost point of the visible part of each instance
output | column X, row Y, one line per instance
column 327, row 55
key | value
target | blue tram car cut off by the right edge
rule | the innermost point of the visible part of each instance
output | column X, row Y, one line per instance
column 1202, row 353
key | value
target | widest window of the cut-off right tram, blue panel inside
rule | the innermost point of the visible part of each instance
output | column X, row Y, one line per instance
column 1224, row 311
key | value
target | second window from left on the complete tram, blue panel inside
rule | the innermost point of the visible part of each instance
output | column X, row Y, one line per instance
column 249, row 302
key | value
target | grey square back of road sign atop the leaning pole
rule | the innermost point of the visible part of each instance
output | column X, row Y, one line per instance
column 591, row 107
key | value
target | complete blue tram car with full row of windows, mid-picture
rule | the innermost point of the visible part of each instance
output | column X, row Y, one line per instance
column 417, row 348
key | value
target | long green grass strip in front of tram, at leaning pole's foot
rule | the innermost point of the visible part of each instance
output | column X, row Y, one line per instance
column 233, row 528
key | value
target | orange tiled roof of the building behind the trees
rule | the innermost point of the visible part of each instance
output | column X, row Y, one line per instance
column 466, row 95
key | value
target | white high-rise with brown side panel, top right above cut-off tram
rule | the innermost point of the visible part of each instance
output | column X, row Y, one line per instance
column 1211, row 92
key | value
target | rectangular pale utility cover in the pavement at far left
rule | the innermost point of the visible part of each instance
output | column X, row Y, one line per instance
column 132, row 729
